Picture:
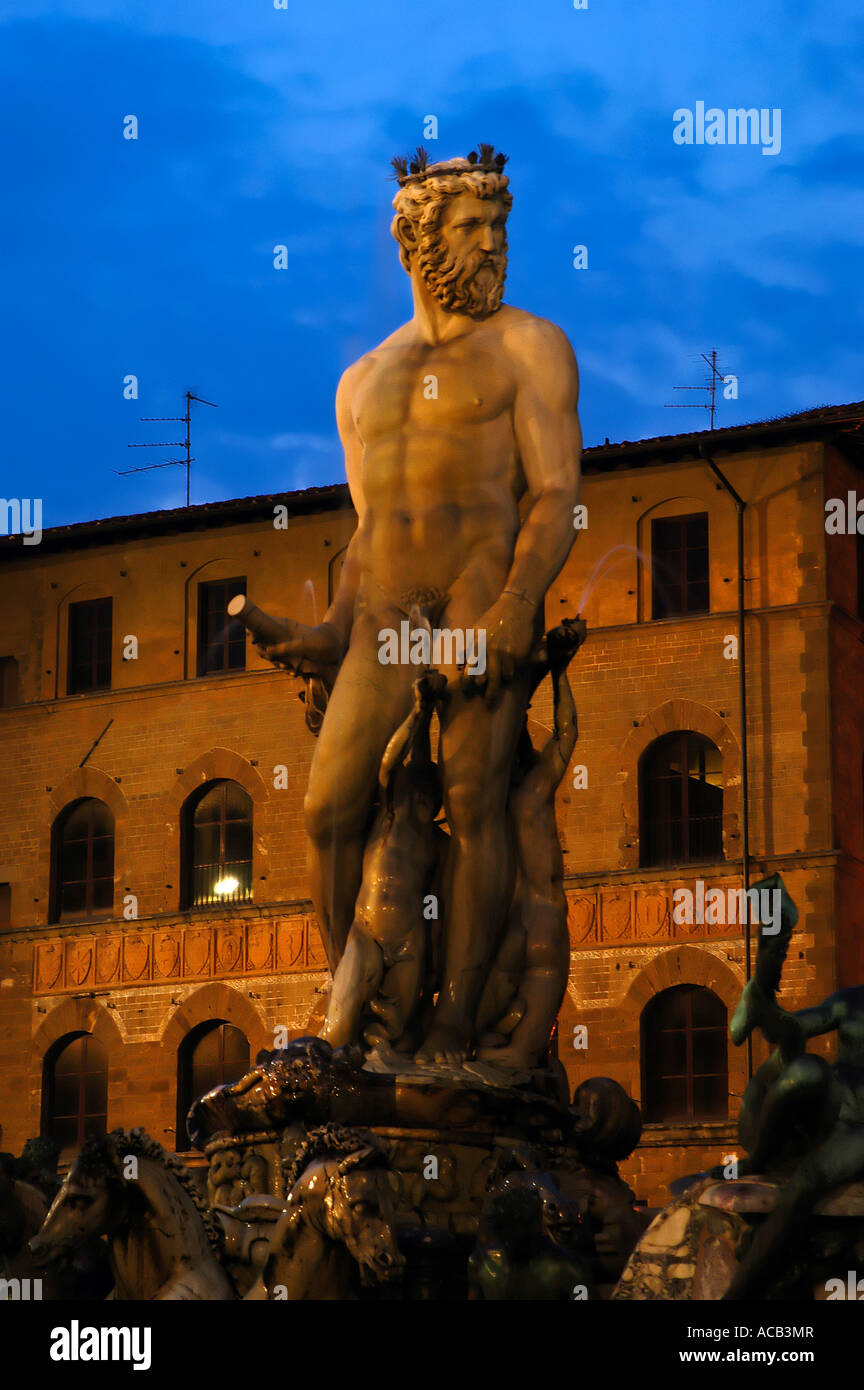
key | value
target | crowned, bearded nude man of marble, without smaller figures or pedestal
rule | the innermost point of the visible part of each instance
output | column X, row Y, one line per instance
column 462, row 444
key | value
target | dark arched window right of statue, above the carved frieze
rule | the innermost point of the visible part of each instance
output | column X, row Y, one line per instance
column 681, row 801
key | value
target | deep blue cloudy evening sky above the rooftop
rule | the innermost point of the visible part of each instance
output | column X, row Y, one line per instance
column 260, row 127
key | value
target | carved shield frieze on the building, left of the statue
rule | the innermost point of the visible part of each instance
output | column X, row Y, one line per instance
column 183, row 954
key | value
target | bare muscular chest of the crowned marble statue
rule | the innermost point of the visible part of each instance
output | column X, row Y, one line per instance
column 452, row 384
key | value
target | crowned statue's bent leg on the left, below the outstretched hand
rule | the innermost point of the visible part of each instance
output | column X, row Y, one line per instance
column 367, row 705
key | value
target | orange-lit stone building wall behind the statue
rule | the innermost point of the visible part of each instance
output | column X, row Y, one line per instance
column 142, row 983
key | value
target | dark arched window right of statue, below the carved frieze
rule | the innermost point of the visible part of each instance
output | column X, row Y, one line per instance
column 686, row 1074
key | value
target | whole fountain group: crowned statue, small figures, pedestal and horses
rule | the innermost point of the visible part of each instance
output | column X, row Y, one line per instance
column 426, row 1145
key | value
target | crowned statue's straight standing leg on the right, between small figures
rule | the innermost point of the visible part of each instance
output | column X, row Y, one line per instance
column 477, row 749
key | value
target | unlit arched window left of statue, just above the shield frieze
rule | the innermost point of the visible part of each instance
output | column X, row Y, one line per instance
column 83, row 861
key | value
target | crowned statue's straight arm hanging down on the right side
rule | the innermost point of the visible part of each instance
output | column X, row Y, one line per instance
column 549, row 443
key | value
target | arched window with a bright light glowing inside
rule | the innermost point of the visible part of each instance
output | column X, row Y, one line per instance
column 217, row 846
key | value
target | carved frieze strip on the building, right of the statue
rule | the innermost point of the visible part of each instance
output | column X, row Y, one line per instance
column 649, row 913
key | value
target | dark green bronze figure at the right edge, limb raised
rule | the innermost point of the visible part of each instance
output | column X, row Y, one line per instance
column 802, row 1118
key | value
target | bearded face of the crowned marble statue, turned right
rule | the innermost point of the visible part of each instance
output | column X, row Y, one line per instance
column 465, row 261
